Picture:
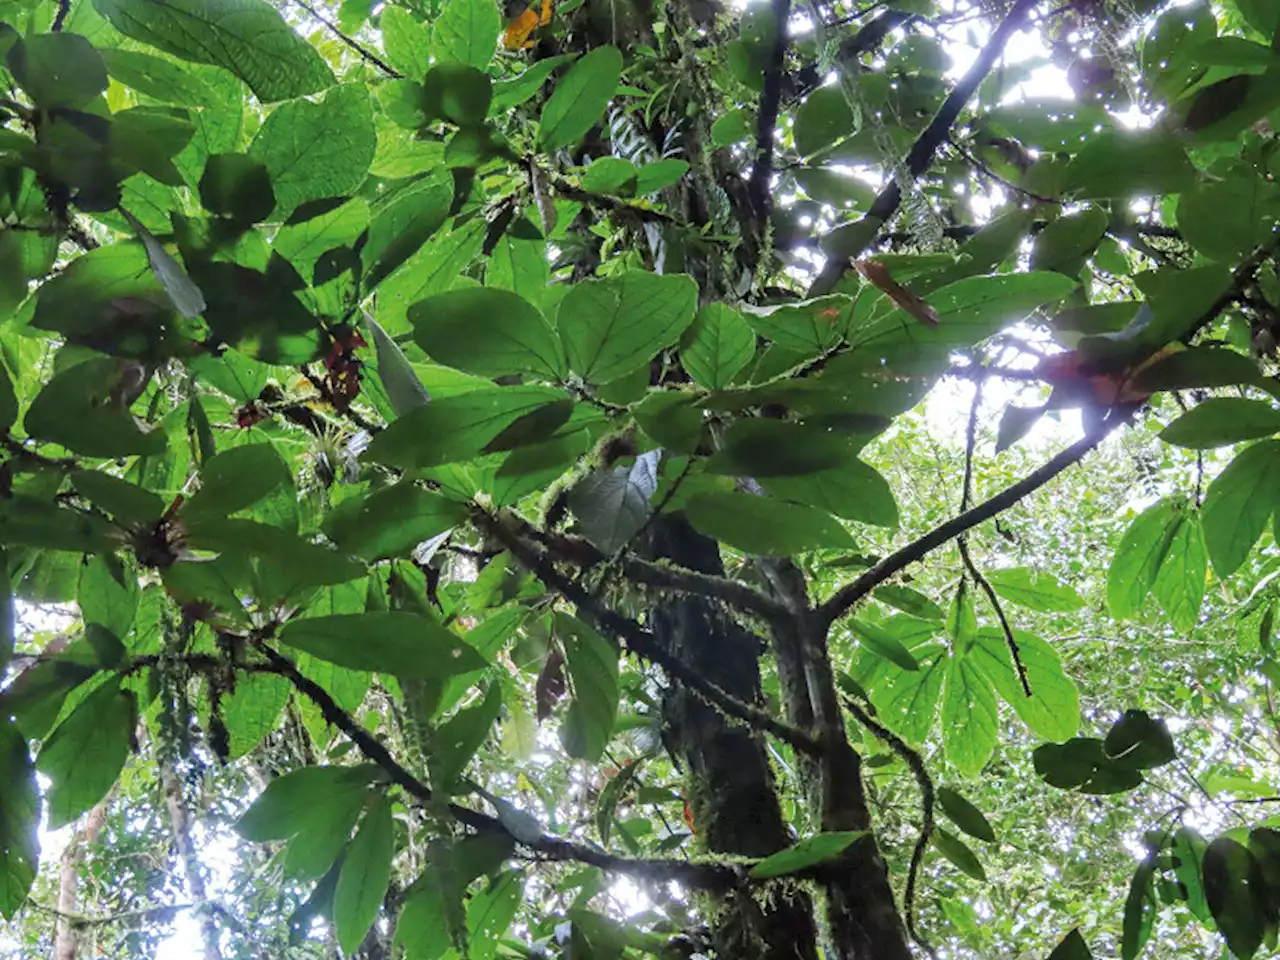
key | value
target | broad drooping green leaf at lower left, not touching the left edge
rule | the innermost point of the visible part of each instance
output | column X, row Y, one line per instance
column 85, row 753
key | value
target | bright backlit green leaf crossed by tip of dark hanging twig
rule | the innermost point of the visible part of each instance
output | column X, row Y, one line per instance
column 1054, row 708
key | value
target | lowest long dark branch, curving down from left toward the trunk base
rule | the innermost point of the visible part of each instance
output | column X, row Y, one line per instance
column 703, row 876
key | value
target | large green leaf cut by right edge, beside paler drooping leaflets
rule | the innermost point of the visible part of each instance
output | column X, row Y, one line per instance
column 1238, row 505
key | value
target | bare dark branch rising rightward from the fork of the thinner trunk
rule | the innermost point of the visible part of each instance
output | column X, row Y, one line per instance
column 916, row 551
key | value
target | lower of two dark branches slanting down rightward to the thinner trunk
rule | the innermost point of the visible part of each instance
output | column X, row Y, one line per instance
column 641, row 642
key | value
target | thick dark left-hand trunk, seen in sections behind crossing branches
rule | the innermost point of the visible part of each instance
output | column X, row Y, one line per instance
column 729, row 781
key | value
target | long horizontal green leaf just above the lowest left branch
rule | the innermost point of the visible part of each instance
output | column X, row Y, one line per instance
column 397, row 643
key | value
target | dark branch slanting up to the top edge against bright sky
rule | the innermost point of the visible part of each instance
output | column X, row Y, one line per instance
column 922, row 153
